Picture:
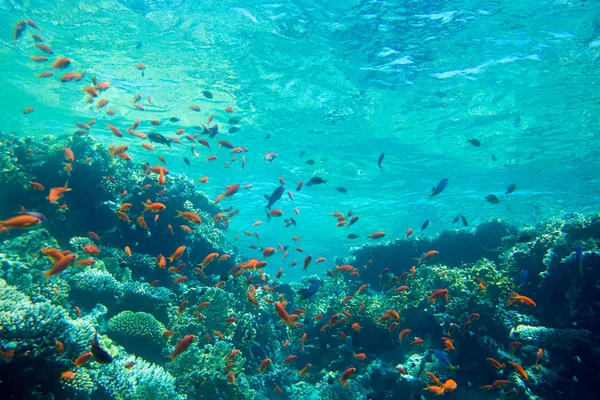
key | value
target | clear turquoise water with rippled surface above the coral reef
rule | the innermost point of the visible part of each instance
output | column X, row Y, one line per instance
column 343, row 81
